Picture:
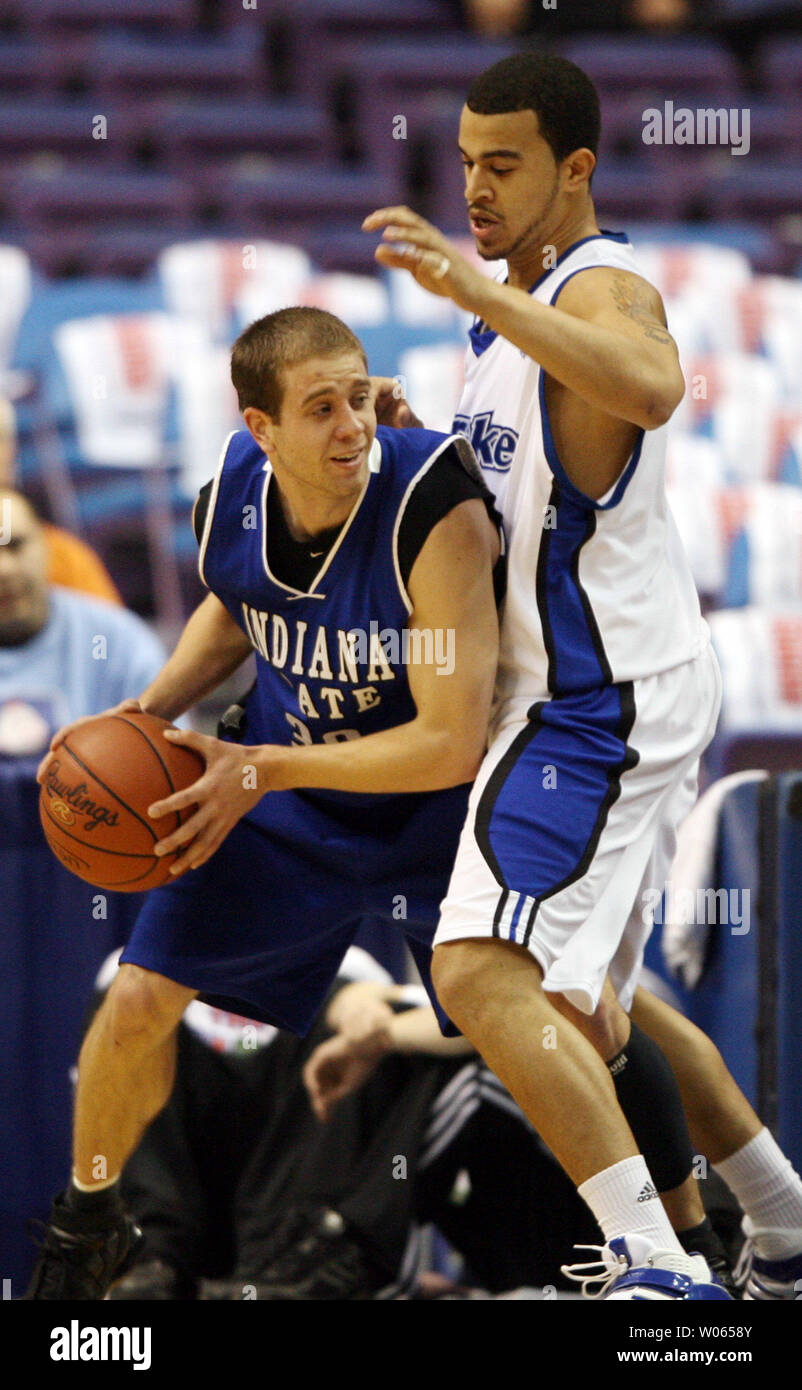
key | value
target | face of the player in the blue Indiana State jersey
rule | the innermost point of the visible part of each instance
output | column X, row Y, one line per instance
column 327, row 426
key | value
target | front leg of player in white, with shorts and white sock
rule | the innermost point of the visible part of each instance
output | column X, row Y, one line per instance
column 554, row 865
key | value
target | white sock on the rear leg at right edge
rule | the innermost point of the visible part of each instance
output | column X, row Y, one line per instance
column 771, row 1193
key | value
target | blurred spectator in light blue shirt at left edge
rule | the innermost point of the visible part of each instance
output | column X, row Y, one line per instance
column 63, row 654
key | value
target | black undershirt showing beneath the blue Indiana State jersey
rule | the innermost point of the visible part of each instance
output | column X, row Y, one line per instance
column 440, row 491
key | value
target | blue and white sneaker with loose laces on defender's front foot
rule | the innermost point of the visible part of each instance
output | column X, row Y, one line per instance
column 636, row 1268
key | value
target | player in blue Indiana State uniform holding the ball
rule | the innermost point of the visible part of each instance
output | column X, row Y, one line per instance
column 358, row 565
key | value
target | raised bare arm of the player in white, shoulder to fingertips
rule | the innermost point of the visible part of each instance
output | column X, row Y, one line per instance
column 607, row 340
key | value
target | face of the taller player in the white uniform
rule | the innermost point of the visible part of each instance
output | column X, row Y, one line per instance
column 512, row 184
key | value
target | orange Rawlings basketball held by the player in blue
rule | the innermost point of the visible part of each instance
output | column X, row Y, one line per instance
column 95, row 799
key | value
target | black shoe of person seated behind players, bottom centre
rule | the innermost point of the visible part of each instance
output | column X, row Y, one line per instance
column 329, row 1263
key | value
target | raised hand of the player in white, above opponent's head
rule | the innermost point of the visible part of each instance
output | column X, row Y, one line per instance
column 409, row 243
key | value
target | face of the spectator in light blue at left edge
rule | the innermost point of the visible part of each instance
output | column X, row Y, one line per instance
column 23, row 573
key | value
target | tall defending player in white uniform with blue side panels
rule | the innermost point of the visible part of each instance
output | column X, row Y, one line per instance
column 608, row 693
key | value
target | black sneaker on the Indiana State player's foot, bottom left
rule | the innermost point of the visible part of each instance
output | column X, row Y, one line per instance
column 81, row 1259
